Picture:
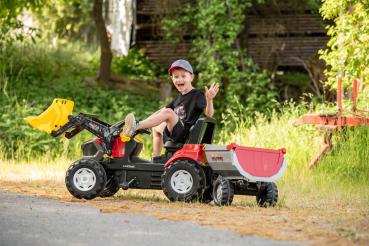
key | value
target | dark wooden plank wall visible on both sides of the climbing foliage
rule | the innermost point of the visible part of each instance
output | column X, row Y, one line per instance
column 283, row 39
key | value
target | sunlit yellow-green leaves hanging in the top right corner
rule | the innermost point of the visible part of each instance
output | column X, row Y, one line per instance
column 348, row 47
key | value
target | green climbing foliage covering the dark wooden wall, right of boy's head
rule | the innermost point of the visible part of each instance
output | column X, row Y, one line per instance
column 215, row 28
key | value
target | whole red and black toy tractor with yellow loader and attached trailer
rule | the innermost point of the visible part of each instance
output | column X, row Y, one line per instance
column 192, row 171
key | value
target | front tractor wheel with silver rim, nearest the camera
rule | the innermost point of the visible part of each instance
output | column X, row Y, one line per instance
column 85, row 179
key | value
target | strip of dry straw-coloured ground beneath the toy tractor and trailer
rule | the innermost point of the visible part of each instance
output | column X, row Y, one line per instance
column 324, row 225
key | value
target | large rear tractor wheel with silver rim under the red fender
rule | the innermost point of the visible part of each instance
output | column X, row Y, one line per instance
column 182, row 181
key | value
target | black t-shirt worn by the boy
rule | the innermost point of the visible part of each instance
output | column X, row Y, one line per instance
column 189, row 106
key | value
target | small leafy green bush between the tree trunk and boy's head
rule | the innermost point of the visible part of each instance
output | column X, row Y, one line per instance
column 135, row 65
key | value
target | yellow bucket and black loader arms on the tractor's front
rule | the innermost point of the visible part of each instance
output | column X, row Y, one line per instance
column 58, row 119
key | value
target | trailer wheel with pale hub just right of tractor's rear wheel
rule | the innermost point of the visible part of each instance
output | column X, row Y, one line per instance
column 223, row 192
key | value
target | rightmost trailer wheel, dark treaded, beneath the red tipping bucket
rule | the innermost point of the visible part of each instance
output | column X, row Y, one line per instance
column 267, row 195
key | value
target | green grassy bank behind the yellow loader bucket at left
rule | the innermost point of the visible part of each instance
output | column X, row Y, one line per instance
column 31, row 76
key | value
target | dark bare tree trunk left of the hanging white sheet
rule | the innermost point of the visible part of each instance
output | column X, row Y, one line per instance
column 106, row 55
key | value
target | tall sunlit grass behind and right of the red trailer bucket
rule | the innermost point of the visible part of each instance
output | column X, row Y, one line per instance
column 342, row 176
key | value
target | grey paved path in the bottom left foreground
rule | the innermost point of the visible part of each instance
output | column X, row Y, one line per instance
column 26, row 220
